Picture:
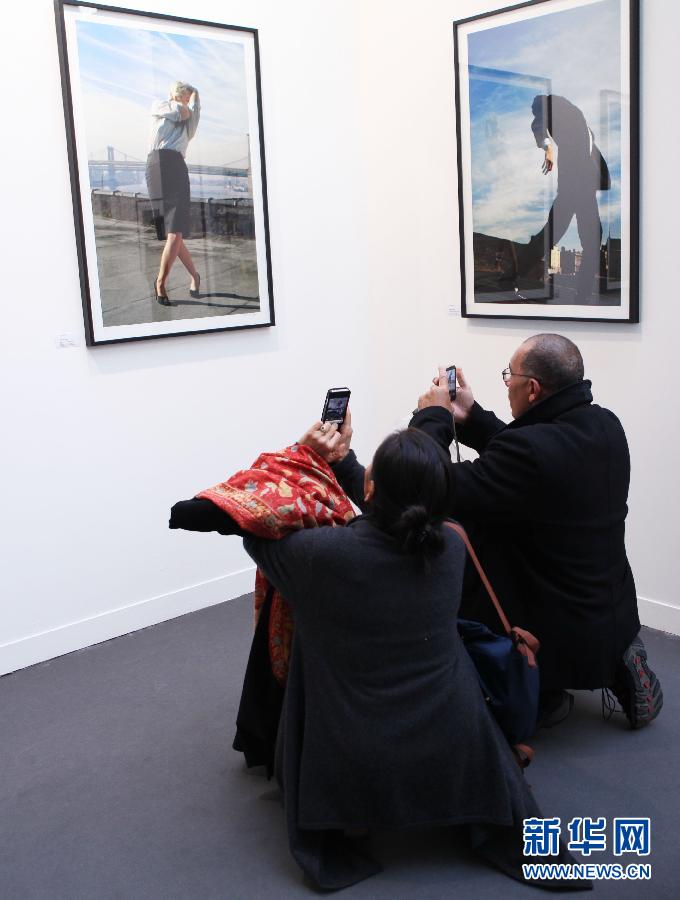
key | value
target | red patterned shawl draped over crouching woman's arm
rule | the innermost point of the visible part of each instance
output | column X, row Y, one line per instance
column 281, row 492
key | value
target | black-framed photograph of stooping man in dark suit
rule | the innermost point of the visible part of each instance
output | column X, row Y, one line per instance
column 547, row 122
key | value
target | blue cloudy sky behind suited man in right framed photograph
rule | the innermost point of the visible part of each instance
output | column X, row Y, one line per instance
column 575, row 53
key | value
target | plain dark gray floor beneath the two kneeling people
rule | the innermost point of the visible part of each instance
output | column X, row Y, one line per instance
column 117, row 780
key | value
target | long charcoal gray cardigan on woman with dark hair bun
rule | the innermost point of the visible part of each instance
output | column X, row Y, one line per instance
column 384, row 722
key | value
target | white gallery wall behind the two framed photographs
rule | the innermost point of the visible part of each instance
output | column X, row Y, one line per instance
column 360, row 143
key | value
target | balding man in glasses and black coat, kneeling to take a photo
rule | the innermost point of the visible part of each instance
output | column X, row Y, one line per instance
column 545, row 506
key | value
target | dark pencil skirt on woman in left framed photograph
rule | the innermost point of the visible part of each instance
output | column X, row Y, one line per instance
column 167, row 180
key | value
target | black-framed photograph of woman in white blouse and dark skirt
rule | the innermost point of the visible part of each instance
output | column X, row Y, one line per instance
column 166, row 154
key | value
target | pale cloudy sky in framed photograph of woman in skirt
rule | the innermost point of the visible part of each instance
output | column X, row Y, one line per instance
column 123, row 70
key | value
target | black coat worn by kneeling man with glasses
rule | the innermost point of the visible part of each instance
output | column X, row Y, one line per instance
column 546, row 503
